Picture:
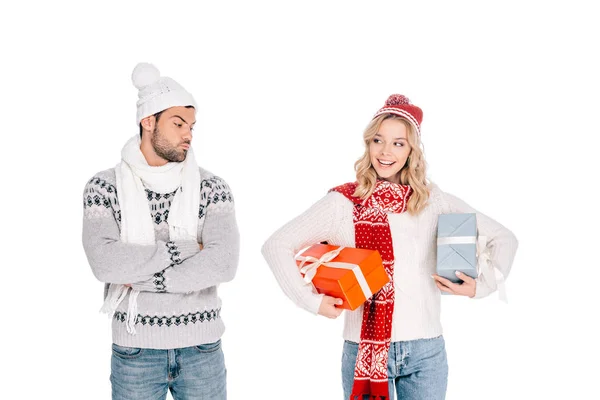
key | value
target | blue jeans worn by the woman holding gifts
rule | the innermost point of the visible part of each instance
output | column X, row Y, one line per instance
column 417, row 369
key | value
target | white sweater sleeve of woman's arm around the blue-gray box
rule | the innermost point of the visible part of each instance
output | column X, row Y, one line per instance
column 501, row 242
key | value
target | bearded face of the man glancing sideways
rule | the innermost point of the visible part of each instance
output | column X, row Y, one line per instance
column 172, row 134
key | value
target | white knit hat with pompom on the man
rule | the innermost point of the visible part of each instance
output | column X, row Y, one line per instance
column 157, row 93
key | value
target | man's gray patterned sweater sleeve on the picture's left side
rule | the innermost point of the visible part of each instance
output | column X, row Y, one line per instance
column 114, row 261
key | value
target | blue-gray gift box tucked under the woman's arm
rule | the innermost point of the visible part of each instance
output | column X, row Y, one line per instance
column 457, row 245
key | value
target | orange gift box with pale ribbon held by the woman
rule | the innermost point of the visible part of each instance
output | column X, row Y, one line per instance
column 350, row 274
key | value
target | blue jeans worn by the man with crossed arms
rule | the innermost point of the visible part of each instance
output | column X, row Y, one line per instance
column 196, row 372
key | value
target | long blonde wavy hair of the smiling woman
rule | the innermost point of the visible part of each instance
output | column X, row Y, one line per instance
column 413, row 173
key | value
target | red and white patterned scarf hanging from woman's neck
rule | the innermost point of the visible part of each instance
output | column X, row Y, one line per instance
column 372, row 231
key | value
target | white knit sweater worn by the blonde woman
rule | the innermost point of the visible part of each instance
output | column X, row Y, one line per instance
column 417, row 302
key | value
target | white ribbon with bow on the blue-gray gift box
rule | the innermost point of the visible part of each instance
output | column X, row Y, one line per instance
column 493, row 276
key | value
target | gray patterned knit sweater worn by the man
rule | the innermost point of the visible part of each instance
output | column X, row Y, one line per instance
column 178, row 305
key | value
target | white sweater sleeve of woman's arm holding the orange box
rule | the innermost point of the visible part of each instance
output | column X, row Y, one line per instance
column 313, row 226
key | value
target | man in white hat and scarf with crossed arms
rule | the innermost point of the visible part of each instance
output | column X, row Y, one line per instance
column 161, row 233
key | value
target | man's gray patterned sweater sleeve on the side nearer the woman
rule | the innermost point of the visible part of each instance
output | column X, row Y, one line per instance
column 218, row 260
